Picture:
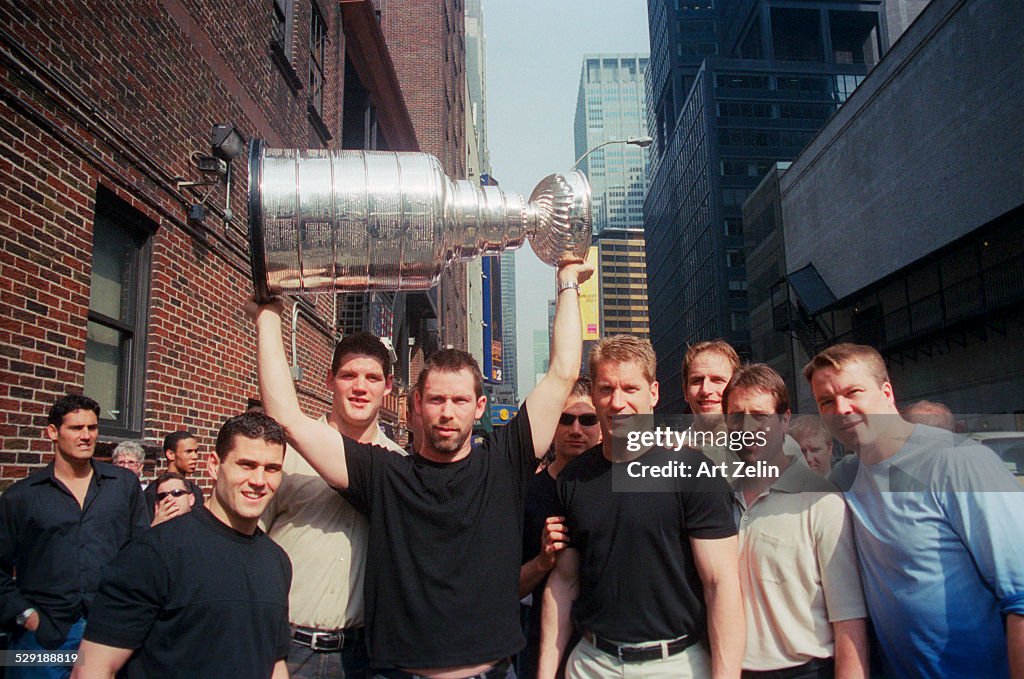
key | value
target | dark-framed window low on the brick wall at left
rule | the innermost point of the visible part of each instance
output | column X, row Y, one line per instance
column 119, row 296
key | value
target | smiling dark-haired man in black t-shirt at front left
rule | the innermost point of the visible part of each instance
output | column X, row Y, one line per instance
column 205, row 596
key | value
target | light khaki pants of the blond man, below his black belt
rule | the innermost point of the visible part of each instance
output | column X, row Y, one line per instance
column 587, row 662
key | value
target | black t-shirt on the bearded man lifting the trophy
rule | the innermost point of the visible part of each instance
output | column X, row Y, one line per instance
column 443, row 569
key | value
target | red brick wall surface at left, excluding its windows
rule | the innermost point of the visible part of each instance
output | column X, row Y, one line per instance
column 119, row 96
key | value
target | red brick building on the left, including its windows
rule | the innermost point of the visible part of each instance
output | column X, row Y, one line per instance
column 107, row 285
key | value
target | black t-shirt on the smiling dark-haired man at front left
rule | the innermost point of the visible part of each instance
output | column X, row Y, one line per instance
column 197, row 600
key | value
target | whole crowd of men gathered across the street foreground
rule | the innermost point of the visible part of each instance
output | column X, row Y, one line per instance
column 327, row 550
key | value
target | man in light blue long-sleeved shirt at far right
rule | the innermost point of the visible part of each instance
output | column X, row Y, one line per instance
column 937, row 526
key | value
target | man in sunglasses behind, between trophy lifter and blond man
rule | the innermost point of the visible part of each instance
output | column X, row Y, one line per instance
column 544, row 533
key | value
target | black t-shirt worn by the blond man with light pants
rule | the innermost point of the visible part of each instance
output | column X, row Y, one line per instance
column 638, row 581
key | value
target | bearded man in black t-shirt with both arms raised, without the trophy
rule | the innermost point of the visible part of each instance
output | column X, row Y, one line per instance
column 446, row 524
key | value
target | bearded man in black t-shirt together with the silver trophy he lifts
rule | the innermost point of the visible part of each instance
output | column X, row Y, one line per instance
column 443, row 566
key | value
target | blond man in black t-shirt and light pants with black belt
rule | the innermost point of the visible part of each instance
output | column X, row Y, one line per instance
column 648, row 575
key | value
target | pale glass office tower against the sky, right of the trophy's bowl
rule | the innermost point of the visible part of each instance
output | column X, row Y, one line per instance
column 611, row 106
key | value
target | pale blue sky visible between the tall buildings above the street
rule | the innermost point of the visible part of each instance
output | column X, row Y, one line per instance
column 535, row 53
